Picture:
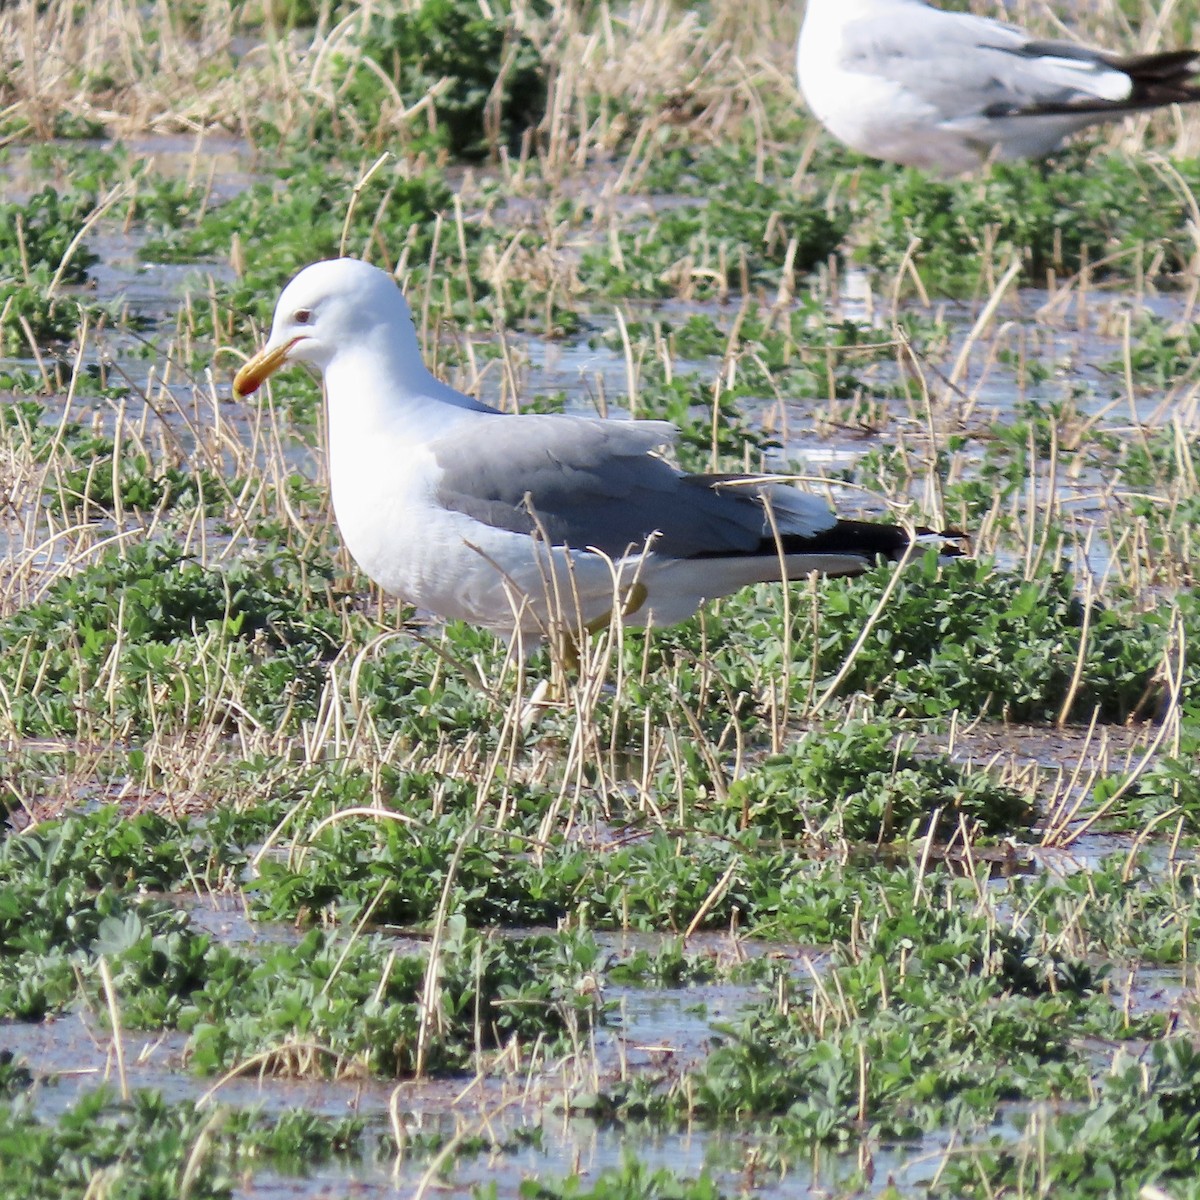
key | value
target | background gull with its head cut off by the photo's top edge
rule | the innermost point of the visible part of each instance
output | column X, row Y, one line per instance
column 902, row 81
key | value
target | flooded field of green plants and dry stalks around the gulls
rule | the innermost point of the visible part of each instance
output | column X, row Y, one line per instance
column 862, row 887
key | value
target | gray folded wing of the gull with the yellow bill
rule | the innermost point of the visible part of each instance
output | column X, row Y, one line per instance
column 596, row 484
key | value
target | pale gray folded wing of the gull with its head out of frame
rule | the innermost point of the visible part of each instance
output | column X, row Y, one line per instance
column 969, row 67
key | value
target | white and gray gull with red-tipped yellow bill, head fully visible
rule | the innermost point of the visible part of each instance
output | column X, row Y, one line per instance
column 531, row 526
